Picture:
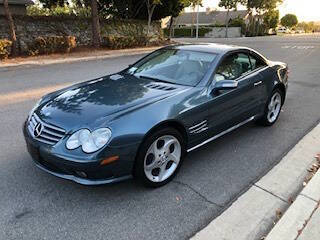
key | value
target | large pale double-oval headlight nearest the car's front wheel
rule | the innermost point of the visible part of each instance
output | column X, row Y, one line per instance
column 89, row 141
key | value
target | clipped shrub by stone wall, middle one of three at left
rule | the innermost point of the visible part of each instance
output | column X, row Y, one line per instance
column 52, row 44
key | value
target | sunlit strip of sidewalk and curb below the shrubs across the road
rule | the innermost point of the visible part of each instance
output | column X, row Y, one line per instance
column 89, row 54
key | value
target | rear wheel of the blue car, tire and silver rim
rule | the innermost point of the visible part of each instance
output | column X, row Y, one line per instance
column 273, row 108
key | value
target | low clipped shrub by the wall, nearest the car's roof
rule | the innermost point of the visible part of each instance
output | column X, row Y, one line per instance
column 118, row 42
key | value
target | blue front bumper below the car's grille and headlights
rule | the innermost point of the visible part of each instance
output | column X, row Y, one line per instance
column 86, row 172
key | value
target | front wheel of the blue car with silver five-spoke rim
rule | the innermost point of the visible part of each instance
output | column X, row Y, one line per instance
column 160, row 157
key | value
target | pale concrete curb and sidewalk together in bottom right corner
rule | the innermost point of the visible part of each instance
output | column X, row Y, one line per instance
column 258, row 213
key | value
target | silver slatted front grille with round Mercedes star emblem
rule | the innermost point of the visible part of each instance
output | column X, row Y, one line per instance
column 44, row 132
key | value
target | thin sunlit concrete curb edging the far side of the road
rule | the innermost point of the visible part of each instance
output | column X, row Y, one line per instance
column 107, row 54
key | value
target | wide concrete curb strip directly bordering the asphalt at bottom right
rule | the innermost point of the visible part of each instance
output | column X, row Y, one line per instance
column 254, row 213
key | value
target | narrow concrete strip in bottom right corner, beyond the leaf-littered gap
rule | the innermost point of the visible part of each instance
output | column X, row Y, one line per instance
column 293, row 223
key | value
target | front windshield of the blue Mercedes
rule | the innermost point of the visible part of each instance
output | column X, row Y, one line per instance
column 174, row 66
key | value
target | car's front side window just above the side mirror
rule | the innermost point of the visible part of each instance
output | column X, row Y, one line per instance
column 233, row 67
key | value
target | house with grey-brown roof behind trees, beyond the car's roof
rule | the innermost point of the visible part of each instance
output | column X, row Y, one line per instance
column 208, row 18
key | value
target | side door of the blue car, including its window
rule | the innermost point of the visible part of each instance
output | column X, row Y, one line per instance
column 228, row 108
